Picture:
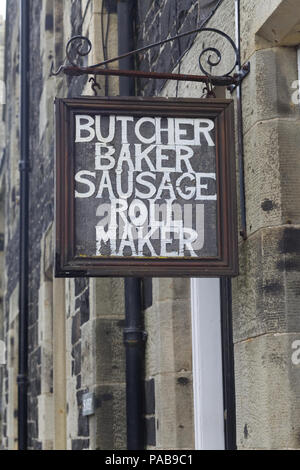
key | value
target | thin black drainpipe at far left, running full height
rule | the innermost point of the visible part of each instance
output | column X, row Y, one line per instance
column 24, row 204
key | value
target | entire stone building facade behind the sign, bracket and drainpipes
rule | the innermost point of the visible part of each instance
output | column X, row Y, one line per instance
column 75, row 331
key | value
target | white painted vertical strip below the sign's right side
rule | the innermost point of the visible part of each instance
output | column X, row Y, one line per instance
column 207, row 364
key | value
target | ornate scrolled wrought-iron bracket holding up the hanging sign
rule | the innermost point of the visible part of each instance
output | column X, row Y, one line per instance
column 79, row 47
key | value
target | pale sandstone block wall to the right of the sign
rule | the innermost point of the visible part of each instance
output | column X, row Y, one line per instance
column 265, row 294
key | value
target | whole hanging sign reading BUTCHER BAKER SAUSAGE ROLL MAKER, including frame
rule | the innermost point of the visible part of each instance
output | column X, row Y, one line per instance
column 145, row 187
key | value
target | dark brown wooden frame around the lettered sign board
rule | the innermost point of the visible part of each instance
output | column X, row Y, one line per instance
column 70, row 265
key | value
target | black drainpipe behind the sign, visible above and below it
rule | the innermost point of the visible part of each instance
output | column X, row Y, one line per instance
column 134, row 335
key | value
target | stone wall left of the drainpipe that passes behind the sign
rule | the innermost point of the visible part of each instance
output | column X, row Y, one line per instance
column 61, row 366
